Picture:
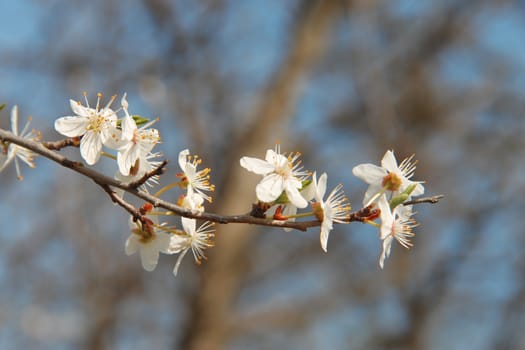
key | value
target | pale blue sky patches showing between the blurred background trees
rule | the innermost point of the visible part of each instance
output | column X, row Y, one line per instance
column 249, row 58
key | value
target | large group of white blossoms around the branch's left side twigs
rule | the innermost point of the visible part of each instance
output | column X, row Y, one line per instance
column 100, row 127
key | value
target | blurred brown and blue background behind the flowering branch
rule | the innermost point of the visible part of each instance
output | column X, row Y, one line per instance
column 340, row 81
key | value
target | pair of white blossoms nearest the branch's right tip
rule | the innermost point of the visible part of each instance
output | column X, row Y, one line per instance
column 389, row 187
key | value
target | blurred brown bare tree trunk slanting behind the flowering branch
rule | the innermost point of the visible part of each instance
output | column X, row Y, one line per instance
column 209, row 326
